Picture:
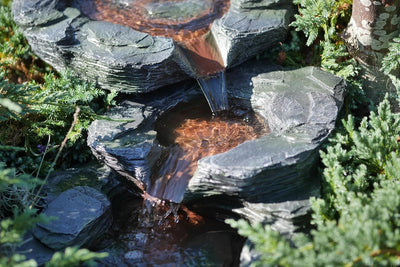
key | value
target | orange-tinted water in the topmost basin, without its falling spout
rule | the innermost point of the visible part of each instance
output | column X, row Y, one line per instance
column 154, row 16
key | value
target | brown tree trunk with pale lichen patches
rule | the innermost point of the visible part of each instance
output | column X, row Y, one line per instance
column 372, row 26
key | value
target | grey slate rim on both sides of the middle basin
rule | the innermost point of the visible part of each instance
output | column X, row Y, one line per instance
column 269, row 178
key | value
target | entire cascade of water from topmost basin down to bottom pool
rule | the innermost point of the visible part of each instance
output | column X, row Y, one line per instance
column 189, row 131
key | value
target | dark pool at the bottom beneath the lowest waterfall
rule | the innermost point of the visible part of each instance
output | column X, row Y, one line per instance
column 149, row 235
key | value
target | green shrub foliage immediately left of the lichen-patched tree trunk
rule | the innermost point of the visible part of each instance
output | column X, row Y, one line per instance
column 323, row 22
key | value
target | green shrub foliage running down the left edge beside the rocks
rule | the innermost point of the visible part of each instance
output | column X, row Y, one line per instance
column 35, row 122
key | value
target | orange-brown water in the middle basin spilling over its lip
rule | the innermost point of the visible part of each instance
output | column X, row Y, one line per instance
column 196, row 138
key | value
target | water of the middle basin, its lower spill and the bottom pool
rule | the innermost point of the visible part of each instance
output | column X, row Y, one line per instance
column 165, row 233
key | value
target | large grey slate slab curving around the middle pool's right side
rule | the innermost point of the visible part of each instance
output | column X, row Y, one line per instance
column 301, row 107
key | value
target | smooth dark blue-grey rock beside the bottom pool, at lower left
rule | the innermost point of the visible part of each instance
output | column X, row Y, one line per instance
column 82, row 214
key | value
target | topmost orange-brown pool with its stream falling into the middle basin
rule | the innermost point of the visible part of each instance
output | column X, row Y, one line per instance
column 187, row 22
